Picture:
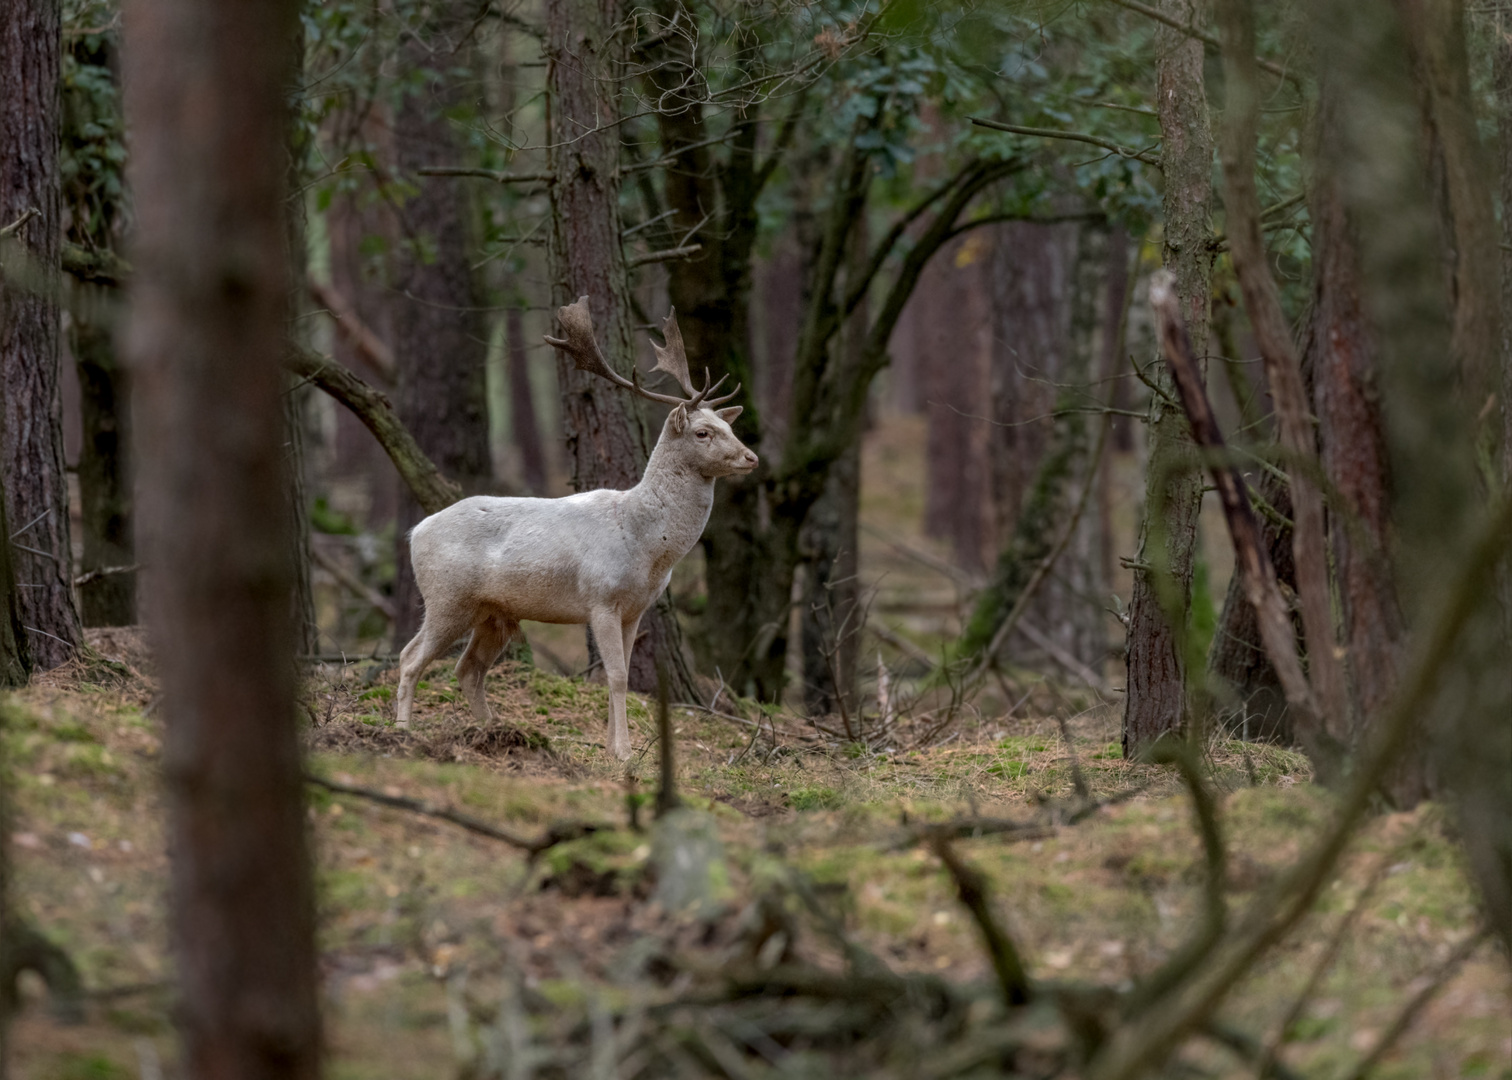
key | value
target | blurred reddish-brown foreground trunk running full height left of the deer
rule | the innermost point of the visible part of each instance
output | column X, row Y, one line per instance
column 206, row 93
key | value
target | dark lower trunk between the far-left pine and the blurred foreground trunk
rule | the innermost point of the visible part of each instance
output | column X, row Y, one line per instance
column 105, row 473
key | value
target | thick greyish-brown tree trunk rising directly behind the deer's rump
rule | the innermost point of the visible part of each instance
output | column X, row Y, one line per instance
column 441, row 340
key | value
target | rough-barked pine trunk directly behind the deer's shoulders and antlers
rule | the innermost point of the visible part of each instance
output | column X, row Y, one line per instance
column 607, row 441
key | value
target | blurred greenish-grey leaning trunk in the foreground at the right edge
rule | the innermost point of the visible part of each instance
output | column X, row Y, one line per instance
column 1430, row 427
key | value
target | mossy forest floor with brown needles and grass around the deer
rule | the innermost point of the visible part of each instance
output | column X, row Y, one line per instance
column 424, row 922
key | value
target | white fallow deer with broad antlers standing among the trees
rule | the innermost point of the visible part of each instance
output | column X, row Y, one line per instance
column 596, row 557
